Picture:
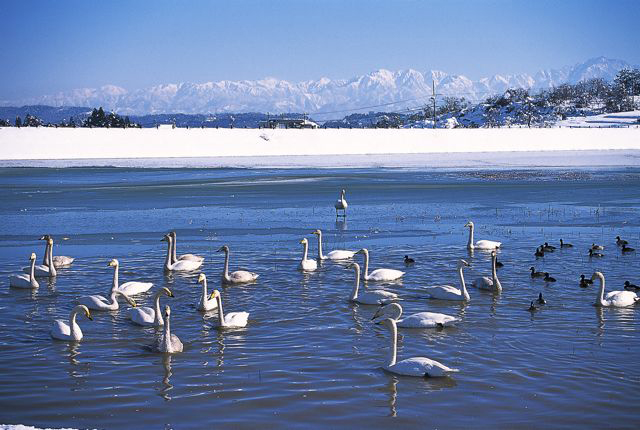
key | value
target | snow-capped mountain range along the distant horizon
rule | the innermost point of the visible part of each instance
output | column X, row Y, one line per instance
column 323, row 98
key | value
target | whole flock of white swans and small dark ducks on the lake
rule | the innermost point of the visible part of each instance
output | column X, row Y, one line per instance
column 389, row 313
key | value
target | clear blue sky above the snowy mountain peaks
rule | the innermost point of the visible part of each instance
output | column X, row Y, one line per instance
column 51, row 46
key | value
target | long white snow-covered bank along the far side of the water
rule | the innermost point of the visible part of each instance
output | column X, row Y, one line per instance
column 311, row 147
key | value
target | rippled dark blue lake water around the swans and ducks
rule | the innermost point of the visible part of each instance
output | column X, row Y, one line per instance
column 308, row 356
